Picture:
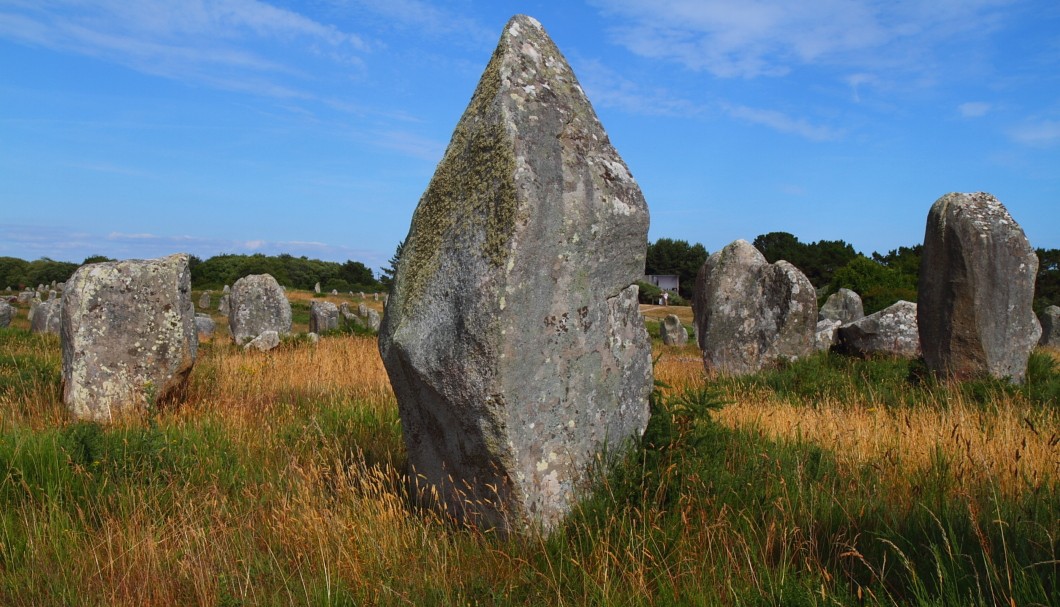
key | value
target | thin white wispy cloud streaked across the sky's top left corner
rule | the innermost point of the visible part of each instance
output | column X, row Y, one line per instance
column 241, row 45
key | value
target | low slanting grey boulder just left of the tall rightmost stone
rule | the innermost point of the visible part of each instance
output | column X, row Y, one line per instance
column 892, row 331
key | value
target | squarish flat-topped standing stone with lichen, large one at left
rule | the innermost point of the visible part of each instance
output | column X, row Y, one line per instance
column 129, row 336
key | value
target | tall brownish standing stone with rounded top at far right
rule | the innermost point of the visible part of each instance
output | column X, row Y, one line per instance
column 977, row 285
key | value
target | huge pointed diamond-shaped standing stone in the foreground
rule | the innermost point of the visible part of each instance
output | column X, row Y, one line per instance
column 513, row 338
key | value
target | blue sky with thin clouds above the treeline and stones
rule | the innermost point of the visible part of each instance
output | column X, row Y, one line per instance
column 137, row 130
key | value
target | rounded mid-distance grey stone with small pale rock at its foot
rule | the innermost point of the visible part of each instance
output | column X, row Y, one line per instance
column 258, row 305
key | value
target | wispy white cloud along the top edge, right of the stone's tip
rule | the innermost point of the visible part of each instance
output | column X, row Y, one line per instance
column 737, row 39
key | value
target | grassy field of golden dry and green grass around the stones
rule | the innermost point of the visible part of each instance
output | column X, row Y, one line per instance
column 280, row 480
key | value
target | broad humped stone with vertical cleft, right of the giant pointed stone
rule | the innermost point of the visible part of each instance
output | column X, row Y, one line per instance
column 751, row 313
